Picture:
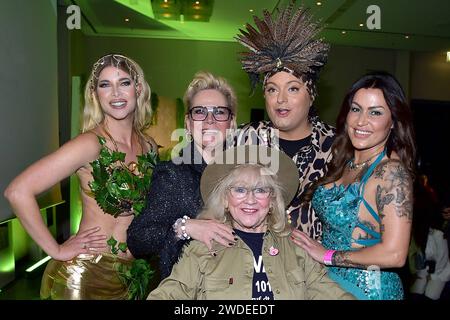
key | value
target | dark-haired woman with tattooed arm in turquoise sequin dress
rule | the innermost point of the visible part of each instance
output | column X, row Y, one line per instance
column 365, row 201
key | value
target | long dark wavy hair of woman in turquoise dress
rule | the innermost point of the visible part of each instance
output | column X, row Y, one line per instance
column 401, row 137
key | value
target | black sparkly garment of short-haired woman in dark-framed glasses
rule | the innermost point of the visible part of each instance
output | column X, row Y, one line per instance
column 174, row 192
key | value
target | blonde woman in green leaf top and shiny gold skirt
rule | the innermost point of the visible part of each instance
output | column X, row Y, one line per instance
column 113, row 159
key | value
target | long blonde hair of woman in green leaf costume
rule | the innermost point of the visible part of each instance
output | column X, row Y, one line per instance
column 93, row 114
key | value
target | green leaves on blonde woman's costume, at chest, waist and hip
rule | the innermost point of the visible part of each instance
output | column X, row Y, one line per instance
column 121, row 189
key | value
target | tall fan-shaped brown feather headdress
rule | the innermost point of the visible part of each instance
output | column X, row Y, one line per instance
column 285, row 43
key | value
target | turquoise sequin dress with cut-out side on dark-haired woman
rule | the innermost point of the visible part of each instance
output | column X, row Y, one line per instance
column 337, row 208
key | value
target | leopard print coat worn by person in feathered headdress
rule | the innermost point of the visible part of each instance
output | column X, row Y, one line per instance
column 311, row 161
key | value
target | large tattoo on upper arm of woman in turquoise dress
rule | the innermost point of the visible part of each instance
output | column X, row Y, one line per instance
column 395, row 188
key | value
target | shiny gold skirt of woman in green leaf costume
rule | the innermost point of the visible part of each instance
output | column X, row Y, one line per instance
column 86, row 277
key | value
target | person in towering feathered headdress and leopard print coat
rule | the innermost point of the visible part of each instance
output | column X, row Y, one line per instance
column 287, row 58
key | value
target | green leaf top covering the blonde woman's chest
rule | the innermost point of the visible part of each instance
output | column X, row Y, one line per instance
column 118, row 188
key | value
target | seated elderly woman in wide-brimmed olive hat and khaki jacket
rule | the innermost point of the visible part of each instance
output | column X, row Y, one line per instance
column 250, row 196
